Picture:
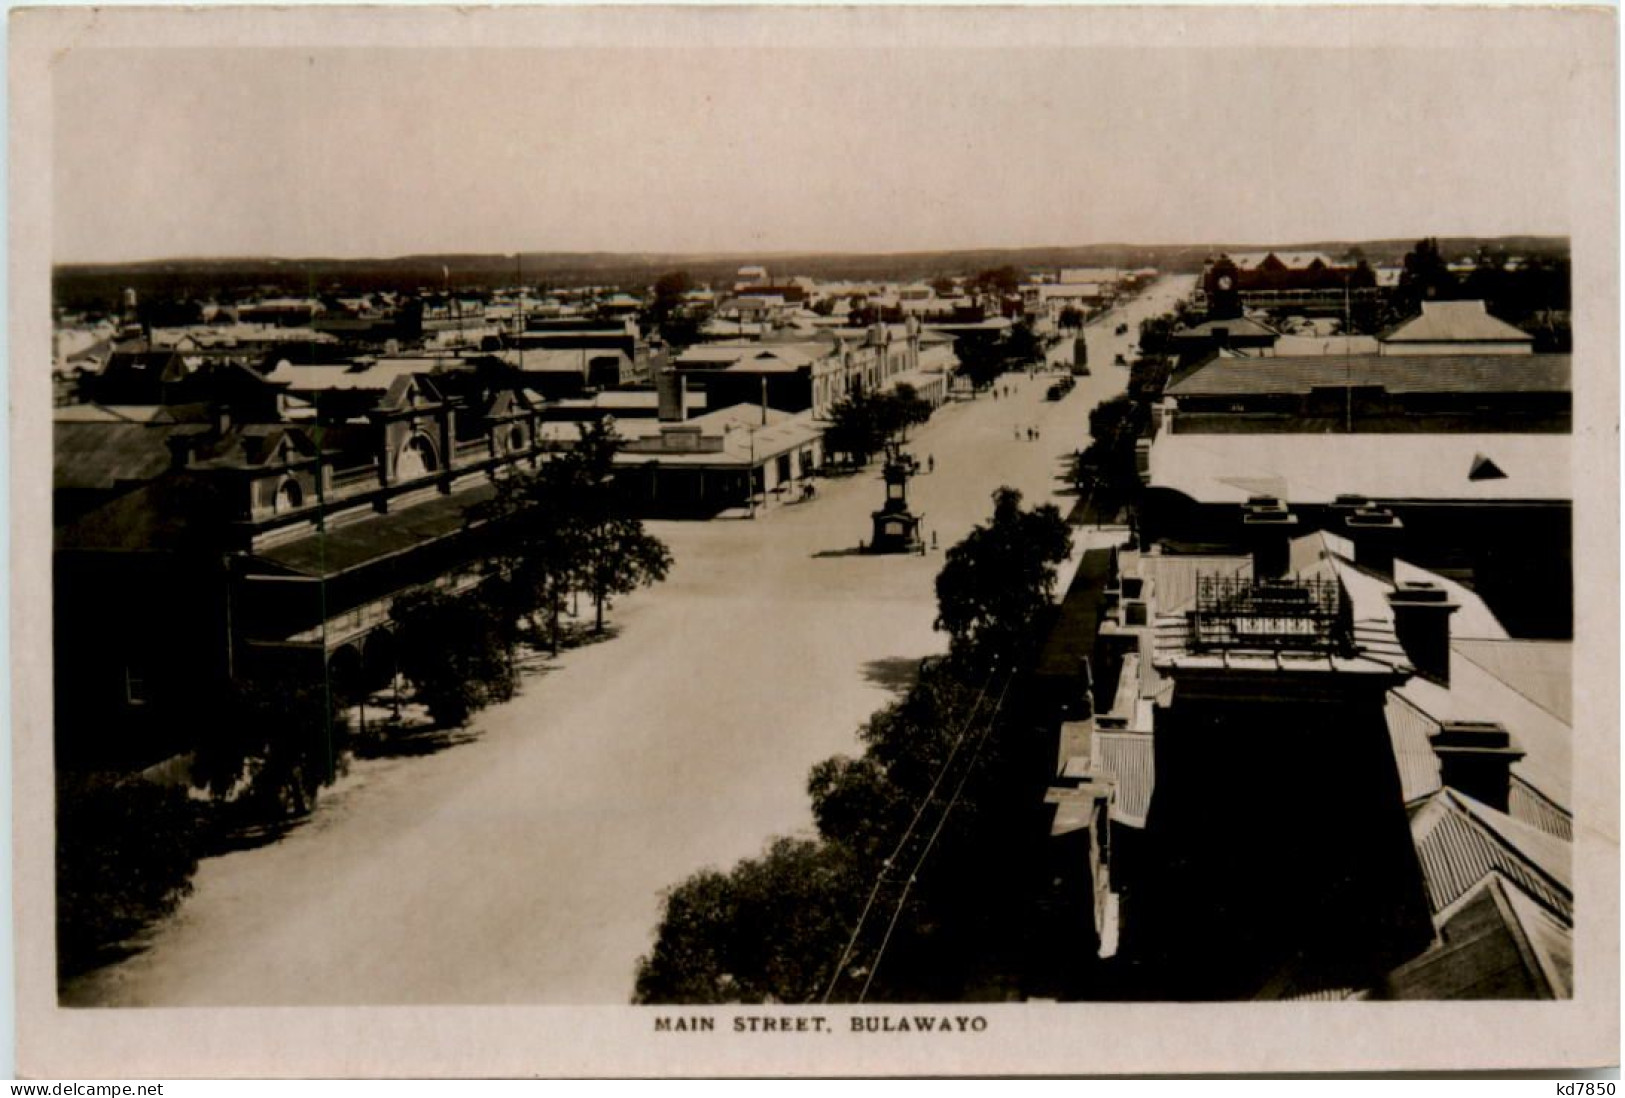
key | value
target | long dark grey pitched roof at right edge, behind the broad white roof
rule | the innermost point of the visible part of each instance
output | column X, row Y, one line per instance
column 1299, row 376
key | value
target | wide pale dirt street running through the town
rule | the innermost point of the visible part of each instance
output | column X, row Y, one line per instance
column 527, row 865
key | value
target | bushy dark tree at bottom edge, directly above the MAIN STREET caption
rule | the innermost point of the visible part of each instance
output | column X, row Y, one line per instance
column 768, row 932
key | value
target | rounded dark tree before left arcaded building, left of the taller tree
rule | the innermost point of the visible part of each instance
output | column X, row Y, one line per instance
column 454, row 652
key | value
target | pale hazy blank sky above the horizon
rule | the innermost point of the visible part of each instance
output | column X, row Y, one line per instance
column 389, row 152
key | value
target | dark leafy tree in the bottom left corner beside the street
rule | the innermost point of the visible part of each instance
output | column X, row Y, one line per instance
column 126, row 855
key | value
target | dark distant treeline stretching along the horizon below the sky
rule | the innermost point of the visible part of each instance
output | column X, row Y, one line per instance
column 100, row 287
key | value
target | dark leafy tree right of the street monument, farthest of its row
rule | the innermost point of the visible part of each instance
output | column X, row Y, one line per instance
column 1000, row 579
